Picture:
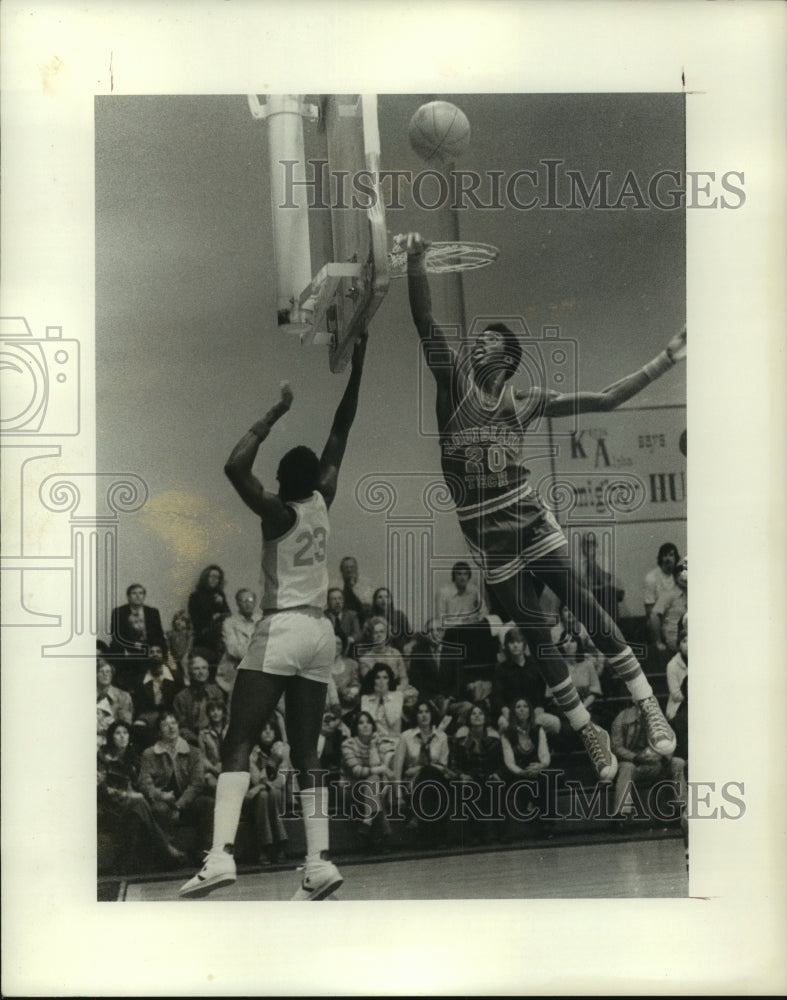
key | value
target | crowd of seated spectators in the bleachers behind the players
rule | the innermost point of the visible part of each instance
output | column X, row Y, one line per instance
column 410, row 718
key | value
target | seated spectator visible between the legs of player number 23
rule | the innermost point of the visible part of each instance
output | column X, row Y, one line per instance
column 269, row 765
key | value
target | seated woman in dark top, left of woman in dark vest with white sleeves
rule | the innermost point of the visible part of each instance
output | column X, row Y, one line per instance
column 477, row 757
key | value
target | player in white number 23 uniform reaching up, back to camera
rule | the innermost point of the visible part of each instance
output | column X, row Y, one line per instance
column 293, row 646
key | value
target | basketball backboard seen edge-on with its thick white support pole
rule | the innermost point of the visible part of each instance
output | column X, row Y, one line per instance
column 328, row 216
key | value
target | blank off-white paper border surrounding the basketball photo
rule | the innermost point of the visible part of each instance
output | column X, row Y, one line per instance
column 728, row 937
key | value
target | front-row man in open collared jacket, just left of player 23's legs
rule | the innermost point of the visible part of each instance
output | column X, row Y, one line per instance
column 172, row 779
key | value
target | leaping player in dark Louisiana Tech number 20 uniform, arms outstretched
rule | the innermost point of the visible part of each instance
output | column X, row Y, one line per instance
column 517, row 542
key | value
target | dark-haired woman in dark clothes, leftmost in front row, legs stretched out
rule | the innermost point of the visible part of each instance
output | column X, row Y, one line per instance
column 124, row 812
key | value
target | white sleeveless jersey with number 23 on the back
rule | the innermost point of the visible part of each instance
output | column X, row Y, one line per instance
column 294, row 566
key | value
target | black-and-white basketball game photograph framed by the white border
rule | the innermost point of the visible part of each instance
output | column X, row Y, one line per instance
column 500, row 529
